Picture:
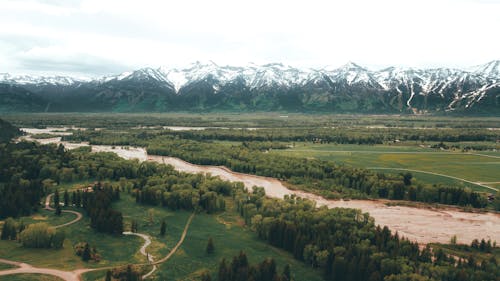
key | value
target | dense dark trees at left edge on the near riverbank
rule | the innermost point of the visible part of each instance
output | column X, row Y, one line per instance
column 29, row 171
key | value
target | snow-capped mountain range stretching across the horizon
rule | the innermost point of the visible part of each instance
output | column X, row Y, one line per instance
column 325, row 89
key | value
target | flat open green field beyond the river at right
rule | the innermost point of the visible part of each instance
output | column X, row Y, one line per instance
column 468, row 166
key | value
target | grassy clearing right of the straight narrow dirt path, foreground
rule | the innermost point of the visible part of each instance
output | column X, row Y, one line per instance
column 229, row 236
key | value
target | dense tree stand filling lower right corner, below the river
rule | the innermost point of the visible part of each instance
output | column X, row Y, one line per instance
column 346, row 244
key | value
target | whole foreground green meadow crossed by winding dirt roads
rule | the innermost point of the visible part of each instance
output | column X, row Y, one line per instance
column 227, row 229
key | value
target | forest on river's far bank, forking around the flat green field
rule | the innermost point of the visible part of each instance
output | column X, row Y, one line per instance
column 323, row 177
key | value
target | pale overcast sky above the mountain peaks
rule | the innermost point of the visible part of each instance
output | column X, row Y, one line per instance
column 99, row 37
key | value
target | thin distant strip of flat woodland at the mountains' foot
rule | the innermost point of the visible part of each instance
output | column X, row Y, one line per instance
column 270, row 120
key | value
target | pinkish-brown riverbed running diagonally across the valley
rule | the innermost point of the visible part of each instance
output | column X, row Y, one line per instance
column 418, row 224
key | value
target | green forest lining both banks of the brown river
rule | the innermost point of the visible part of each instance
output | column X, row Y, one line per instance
column 344, row 244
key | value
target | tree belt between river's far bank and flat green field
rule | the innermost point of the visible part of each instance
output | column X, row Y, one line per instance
column 323, row 177
